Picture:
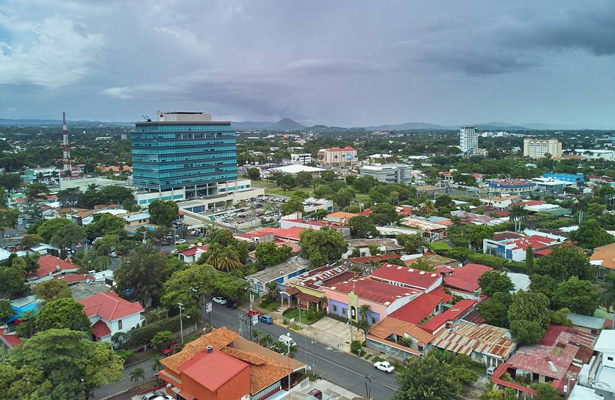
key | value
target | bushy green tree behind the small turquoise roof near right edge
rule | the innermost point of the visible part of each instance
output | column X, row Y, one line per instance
column 582, row 297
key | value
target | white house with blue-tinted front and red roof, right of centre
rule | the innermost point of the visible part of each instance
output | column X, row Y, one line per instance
column 515, row 249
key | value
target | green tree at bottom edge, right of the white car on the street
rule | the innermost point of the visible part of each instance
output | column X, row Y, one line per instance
column 427, row 378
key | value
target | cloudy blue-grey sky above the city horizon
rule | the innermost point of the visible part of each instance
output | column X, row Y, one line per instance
column 342, row 63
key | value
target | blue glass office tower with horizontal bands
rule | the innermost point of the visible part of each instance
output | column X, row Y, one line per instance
column 183, row 150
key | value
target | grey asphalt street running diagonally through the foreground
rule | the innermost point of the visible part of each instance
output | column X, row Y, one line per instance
column 340, row 368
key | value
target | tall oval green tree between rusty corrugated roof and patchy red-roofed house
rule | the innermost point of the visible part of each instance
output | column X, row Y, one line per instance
column 528, row 316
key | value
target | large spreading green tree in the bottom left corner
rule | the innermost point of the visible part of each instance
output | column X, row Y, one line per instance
column 61, row 364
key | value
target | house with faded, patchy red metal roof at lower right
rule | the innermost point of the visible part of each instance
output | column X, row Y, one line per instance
column 557, row 360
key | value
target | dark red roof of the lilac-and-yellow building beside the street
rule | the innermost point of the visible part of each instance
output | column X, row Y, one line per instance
column 374, row 290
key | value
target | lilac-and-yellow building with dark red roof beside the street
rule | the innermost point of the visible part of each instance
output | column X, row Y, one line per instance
column 346, row 298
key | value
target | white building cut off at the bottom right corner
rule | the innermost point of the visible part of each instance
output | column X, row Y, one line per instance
column 598, row 375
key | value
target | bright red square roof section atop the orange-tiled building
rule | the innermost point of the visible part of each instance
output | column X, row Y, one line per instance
column 212, row 370
